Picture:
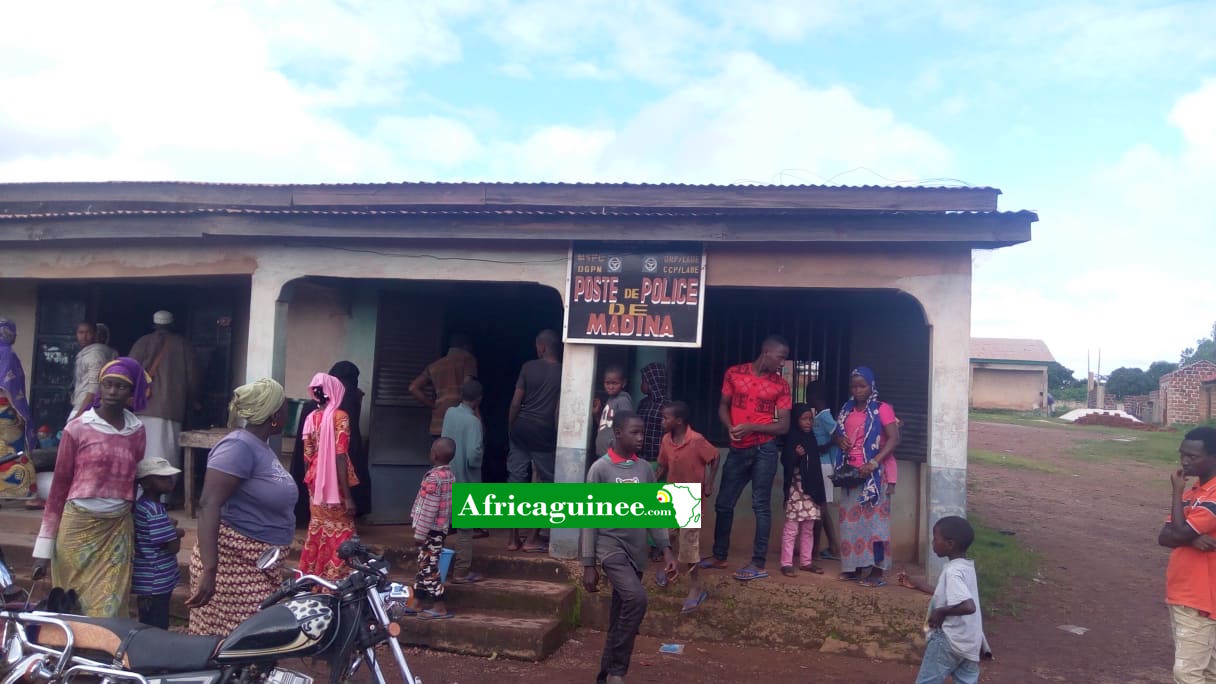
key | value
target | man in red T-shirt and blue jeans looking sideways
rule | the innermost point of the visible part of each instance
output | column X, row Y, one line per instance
column 755, row 410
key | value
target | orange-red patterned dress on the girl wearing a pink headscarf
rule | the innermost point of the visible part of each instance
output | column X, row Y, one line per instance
column 330, row 524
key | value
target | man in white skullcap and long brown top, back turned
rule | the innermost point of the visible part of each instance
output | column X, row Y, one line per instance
column 171, row 363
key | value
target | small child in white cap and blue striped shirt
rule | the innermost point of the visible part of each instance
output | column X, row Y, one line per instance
column 157, row 542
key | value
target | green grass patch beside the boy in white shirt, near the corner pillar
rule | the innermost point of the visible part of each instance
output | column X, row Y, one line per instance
column 1001, row 560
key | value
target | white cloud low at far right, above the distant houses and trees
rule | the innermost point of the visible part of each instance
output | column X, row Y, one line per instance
column 1123, row 260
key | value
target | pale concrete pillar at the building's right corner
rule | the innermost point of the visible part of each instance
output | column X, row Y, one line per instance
column 948, row 305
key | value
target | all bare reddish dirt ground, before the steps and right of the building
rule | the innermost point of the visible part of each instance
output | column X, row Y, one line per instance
column 1095, row 526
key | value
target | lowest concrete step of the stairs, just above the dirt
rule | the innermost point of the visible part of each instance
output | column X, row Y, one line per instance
column 487, row 635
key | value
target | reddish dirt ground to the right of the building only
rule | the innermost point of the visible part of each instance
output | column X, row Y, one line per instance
column 1096, row 529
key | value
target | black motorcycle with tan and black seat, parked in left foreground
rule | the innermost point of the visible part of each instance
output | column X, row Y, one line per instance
column 342, row 627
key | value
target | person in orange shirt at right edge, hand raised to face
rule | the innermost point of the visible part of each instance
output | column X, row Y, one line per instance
column 1191, row 576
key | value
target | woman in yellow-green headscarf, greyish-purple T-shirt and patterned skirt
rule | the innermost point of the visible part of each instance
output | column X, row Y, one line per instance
column 249, row 506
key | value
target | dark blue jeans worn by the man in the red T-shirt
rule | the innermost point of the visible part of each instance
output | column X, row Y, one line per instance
column 758, row 467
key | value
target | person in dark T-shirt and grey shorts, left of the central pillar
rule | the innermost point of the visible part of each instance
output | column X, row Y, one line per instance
column 532, row 425
